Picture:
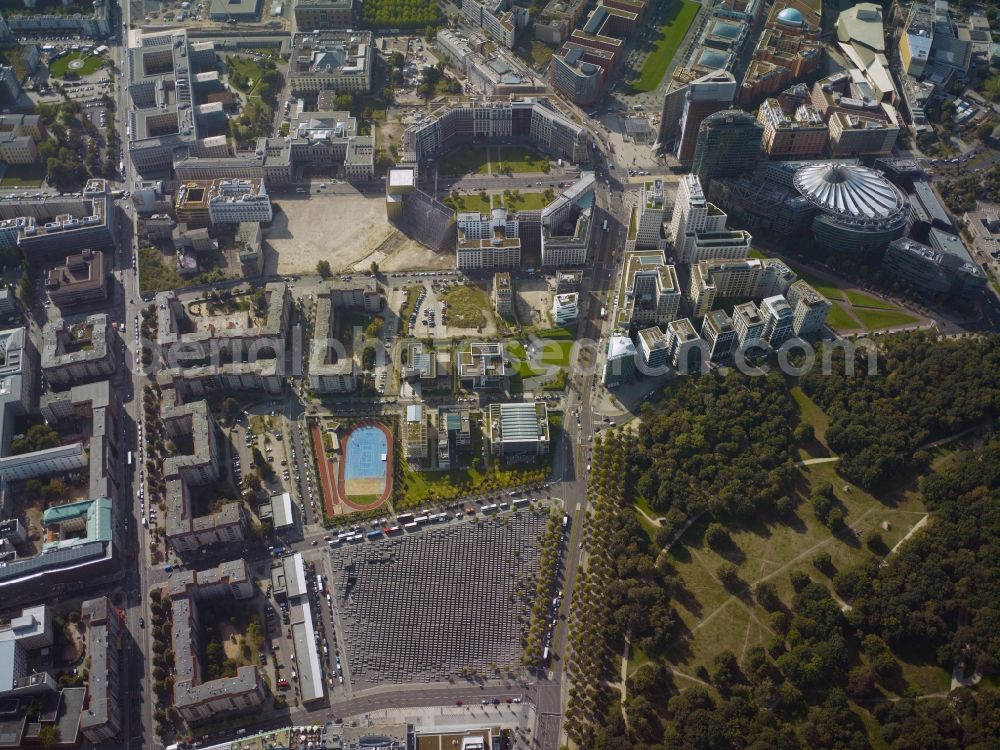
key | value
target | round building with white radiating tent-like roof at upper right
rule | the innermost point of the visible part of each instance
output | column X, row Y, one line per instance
column 858, row 209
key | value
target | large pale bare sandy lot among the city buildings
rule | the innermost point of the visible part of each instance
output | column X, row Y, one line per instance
column 346, row 228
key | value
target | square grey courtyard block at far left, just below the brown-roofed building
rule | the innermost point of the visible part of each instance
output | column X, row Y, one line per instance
column 78, row 353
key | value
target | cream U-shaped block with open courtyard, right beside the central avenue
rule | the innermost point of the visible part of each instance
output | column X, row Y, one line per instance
column 648, row 291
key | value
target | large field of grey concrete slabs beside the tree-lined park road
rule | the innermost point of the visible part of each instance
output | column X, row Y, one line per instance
column 430, row 604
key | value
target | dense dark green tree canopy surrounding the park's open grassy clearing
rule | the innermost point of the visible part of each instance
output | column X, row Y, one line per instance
column 829, row 677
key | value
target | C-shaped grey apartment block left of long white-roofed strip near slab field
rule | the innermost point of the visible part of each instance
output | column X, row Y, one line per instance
column 197, row 700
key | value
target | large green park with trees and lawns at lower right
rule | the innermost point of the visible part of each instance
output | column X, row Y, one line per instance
column 762, row 602
